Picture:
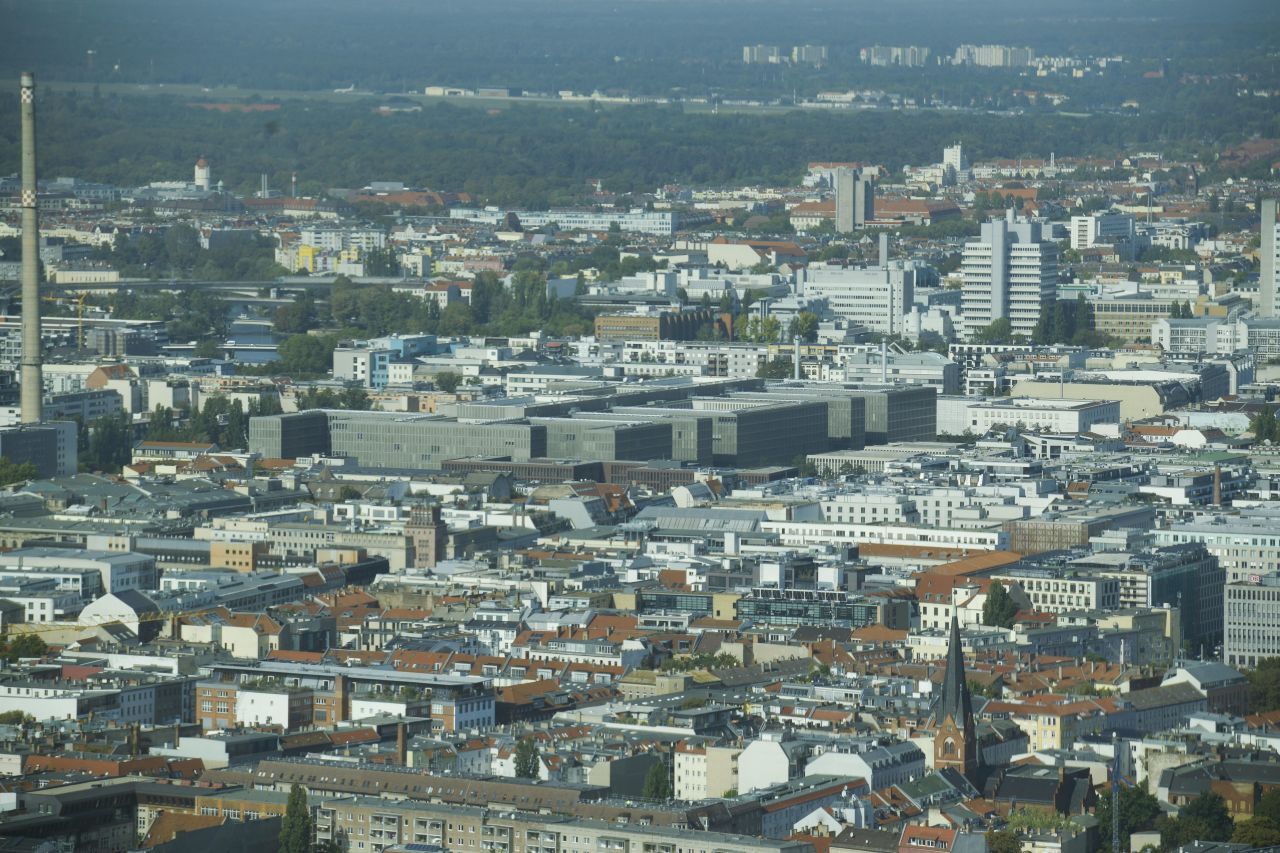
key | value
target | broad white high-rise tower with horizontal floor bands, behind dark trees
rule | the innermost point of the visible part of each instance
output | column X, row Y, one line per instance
column 1009, row 272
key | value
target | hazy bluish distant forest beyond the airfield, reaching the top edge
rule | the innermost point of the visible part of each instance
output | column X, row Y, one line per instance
column 652, row 47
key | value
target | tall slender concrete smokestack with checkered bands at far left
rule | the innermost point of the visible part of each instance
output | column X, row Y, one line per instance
column 33, row 381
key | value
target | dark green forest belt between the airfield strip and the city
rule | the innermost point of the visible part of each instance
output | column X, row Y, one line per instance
column 545, row 156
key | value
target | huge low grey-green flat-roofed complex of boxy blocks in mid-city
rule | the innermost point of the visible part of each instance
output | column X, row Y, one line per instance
column 740, row 423
